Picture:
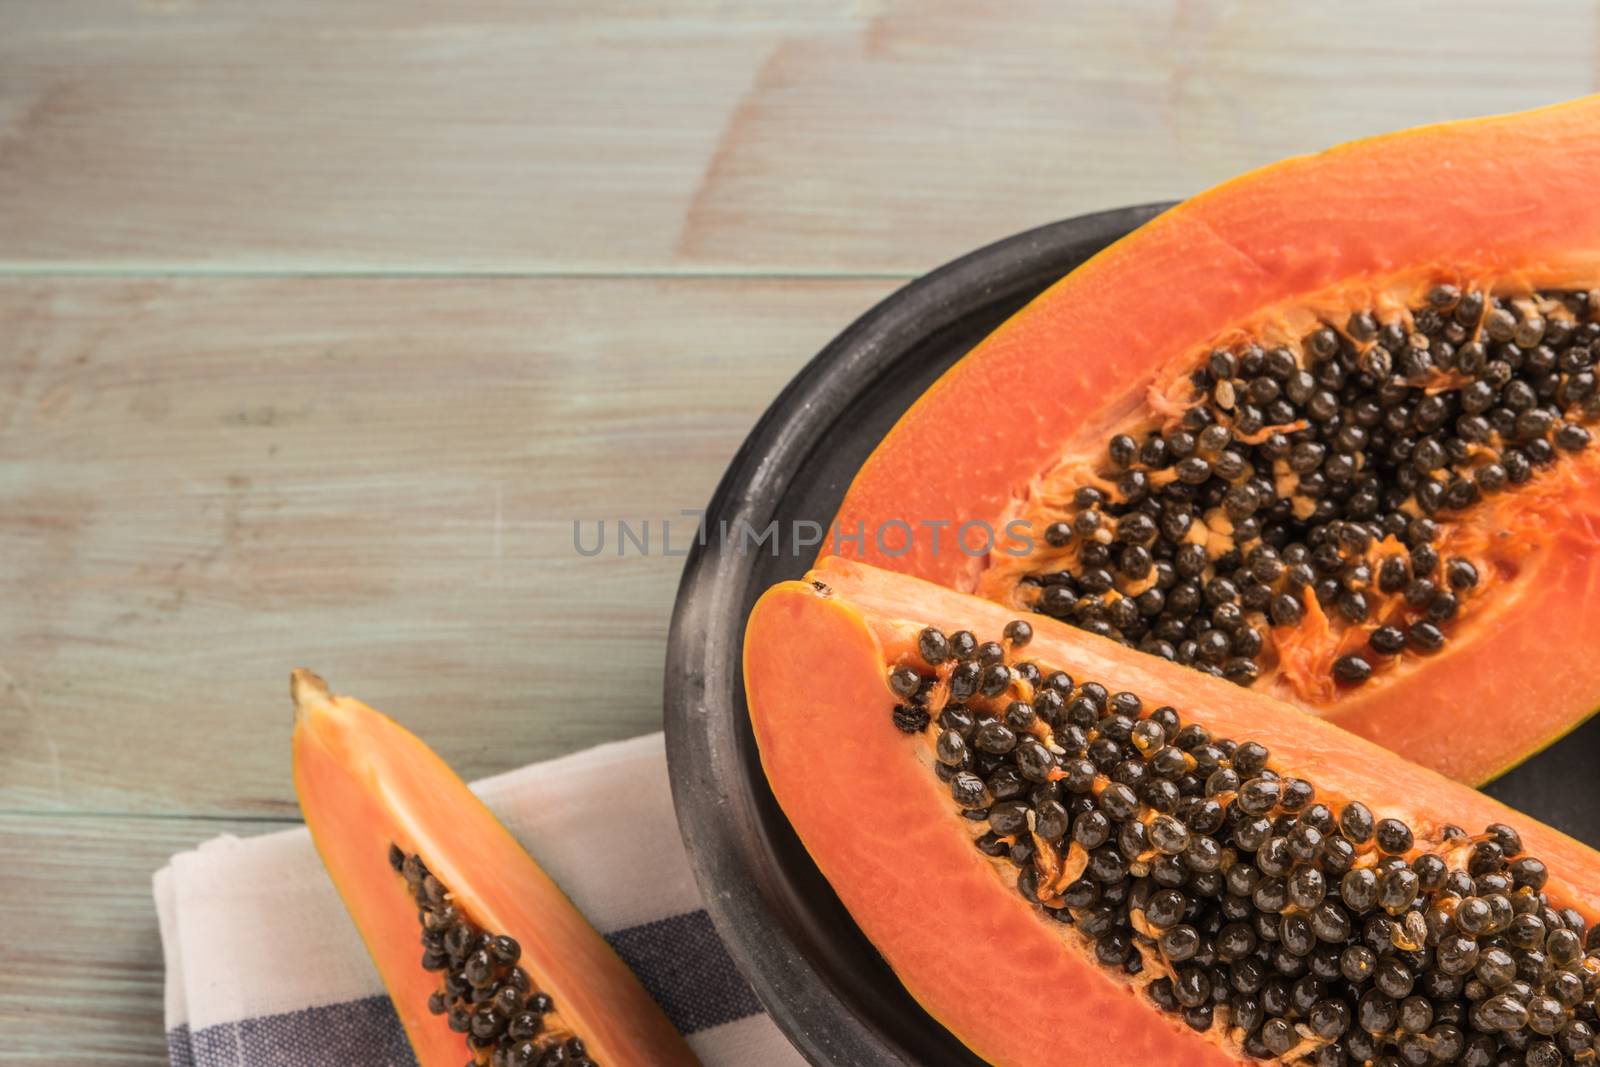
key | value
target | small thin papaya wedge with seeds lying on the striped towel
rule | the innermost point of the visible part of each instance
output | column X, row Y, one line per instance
column 484, row 957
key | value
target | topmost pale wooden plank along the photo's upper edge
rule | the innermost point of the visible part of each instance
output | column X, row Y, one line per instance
column 846, row 137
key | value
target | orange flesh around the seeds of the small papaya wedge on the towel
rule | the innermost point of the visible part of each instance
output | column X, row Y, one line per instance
column 364, row 781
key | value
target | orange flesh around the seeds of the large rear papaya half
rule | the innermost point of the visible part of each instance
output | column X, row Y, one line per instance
column 1367, row 223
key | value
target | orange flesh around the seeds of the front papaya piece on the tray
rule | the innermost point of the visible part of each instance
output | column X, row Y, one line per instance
column 882, row 828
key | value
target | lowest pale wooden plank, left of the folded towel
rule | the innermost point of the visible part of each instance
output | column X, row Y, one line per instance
column 84, row 962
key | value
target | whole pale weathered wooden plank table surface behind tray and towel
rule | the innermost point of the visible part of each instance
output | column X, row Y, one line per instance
column 321, row 324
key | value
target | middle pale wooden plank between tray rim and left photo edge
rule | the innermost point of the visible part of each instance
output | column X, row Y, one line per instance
column 207, row 482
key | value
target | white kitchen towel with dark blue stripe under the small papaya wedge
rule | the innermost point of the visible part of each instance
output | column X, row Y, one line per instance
column 265, row 967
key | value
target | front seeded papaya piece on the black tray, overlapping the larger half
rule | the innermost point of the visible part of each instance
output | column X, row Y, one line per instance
column 1062, row 845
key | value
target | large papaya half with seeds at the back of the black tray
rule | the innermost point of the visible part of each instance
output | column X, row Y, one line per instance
column 1326, row 431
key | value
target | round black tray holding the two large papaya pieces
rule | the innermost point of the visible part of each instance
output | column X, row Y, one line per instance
column 817, row 973
